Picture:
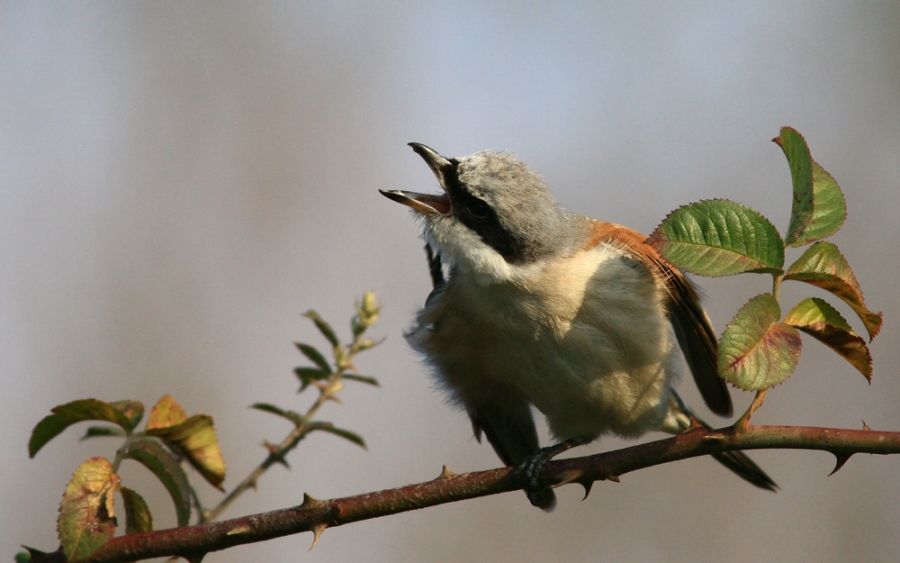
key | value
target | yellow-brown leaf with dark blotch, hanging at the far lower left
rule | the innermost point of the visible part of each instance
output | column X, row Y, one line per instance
column 86, row 514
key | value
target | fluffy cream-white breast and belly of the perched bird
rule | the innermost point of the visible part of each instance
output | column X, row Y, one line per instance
column 584, row 339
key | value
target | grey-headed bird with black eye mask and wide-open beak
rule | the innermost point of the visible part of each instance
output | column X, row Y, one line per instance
column 534, row 305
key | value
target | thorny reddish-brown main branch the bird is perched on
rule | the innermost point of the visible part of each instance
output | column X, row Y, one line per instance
column 317, row 515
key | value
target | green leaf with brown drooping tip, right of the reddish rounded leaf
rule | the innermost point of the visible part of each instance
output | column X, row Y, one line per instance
column 820, row 320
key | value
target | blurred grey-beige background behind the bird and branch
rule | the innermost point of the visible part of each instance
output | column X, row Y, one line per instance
column 179, row 181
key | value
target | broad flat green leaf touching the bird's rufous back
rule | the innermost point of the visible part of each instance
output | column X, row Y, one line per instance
column 719, row 238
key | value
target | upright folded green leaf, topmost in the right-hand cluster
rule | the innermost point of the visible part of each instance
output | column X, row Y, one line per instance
column 819, row 209
